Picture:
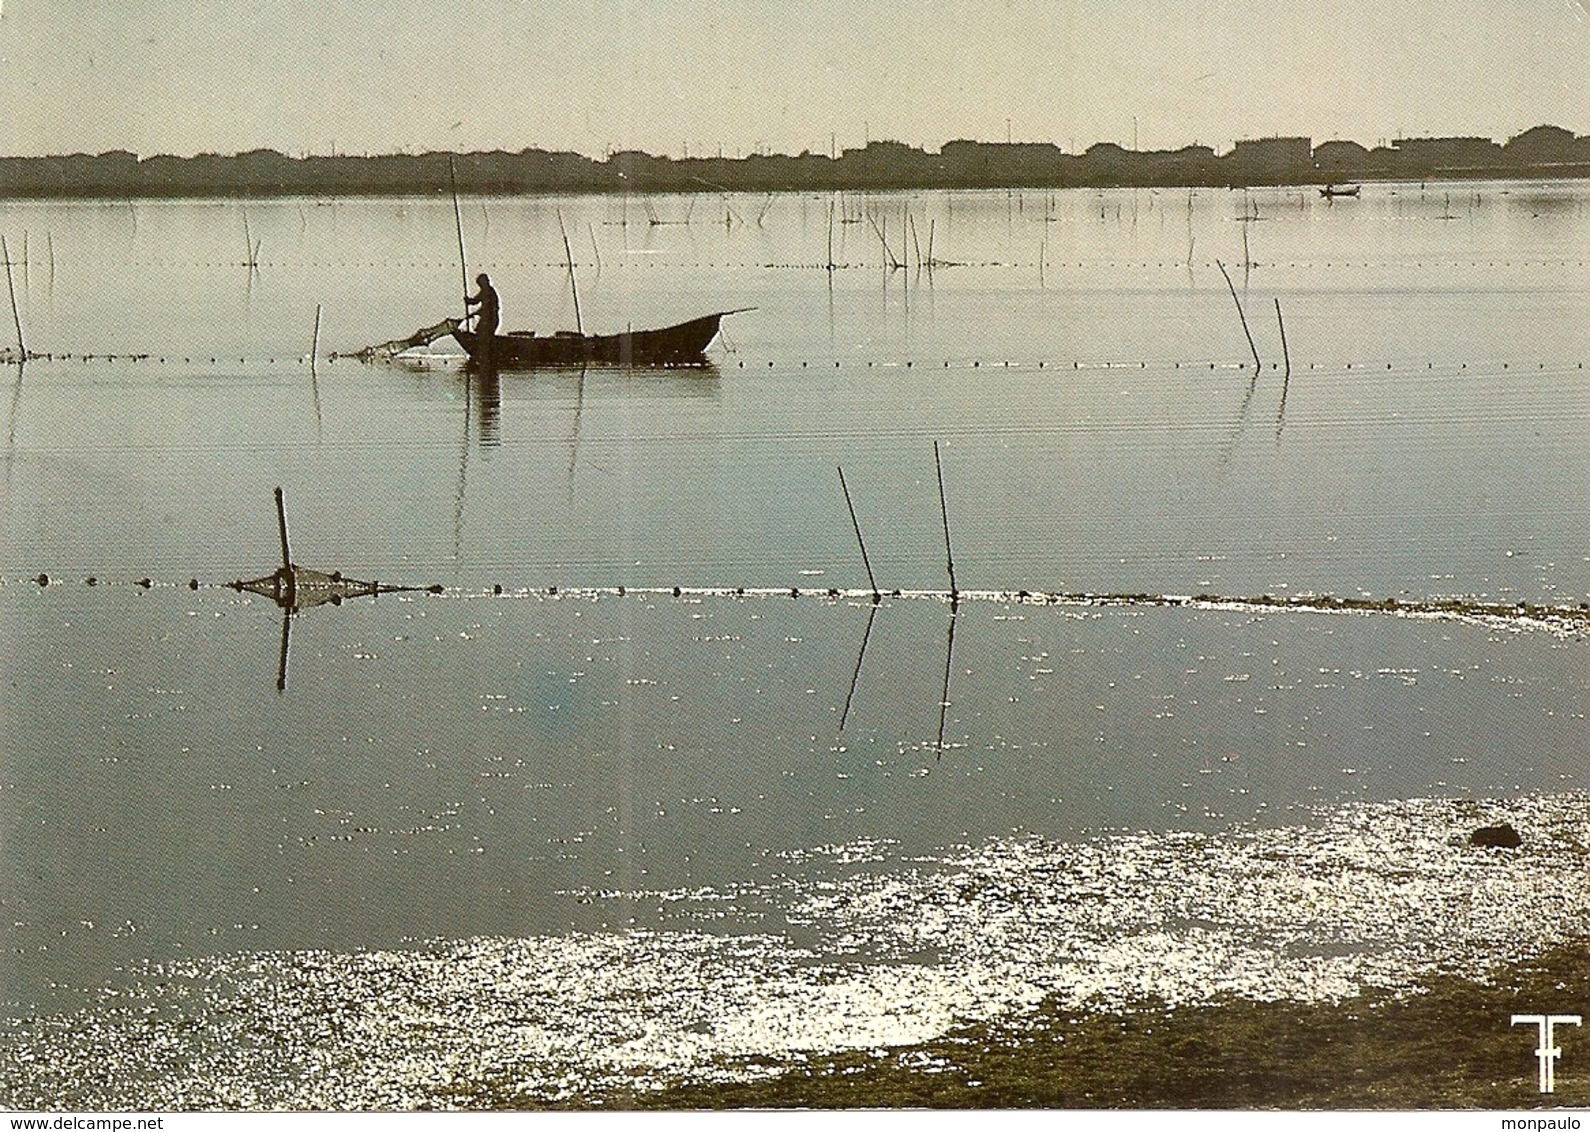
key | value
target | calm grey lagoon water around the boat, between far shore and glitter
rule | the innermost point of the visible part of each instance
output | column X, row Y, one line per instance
column 468, row 764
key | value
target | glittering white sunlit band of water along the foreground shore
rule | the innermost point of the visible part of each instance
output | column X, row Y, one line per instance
column 891, row 952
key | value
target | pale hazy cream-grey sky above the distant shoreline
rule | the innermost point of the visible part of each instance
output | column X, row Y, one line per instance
column 785, row 76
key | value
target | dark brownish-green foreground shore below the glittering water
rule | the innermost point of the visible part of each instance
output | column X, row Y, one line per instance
column 1451, row 1045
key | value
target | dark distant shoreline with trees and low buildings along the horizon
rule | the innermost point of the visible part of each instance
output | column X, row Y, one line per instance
column 1543, row 152
